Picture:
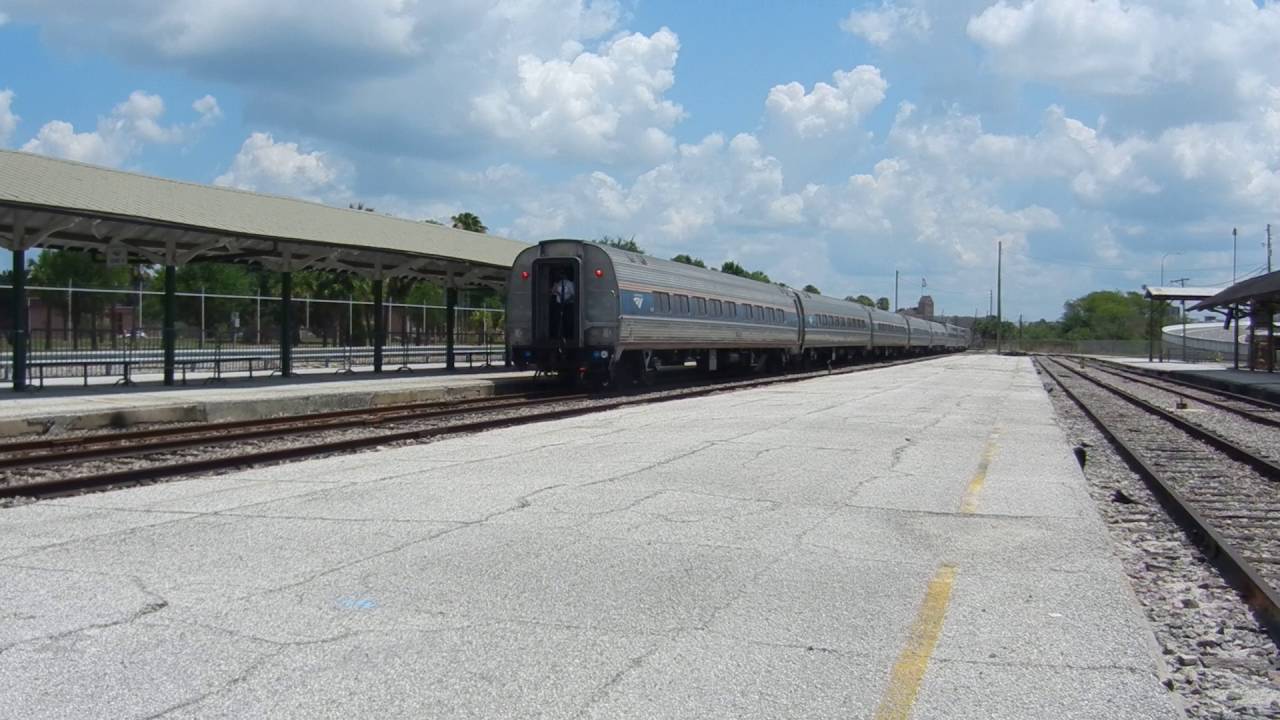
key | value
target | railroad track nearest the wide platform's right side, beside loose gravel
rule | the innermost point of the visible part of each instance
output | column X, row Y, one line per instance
column 1227, row 502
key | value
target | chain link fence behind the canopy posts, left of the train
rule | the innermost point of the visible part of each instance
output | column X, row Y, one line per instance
column 118, row 334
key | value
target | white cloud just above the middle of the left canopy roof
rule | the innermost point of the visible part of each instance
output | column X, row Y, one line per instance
column 281, row 168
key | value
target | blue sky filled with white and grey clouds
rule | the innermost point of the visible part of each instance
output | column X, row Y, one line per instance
column 824, row 143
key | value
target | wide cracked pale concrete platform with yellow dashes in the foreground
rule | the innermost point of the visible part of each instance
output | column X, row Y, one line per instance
column 908, row 543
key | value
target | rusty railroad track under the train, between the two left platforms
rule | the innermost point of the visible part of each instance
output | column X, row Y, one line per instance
column 150, row 455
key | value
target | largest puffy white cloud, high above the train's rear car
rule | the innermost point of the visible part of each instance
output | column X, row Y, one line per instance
column 589, row 104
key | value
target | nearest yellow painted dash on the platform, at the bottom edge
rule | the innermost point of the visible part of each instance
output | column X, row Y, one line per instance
column 904, row 683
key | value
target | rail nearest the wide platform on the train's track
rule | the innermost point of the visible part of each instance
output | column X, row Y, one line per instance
column 150, row 473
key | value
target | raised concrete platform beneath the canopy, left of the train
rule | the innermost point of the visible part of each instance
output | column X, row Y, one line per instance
column 77, row 408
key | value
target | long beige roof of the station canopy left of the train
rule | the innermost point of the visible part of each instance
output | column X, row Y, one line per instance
column 58, row 204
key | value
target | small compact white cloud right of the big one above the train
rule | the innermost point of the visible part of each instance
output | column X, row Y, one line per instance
column 828, row 110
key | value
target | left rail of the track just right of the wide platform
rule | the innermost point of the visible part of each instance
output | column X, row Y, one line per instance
column 1258, row 594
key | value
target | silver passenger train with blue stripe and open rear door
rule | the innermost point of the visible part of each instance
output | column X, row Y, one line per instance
column 584, row 311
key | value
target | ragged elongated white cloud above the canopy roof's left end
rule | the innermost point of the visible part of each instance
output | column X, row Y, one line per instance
column 120, row 135
